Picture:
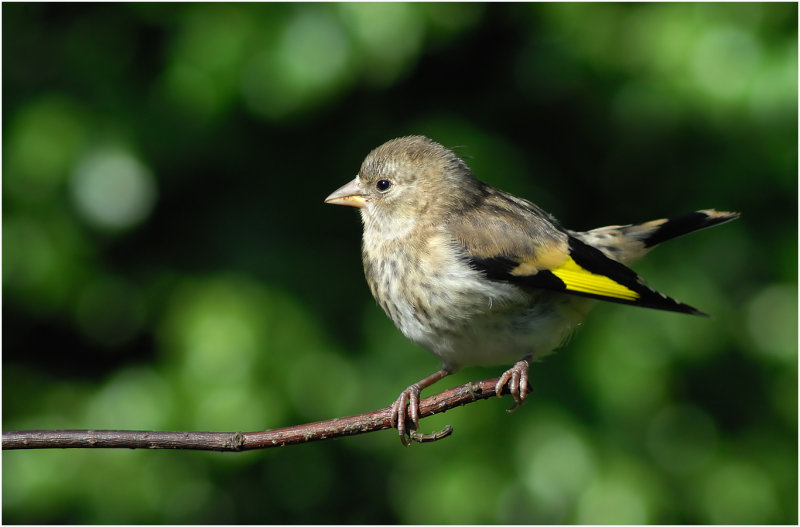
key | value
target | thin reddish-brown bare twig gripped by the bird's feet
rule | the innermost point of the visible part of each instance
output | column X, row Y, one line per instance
column 238, row 441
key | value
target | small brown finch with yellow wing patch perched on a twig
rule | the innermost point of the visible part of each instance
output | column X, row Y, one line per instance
column 480, row 277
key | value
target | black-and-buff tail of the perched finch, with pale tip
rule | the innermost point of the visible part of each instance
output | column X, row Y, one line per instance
column 627, row 243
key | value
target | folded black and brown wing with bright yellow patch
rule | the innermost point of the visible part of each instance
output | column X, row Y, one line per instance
column 512, row 240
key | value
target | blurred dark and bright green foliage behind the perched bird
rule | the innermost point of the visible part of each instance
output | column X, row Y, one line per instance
column 168, row 262
